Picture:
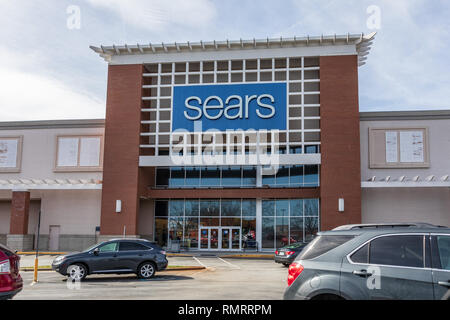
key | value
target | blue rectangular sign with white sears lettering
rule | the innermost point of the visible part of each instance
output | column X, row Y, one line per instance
column 230, row 106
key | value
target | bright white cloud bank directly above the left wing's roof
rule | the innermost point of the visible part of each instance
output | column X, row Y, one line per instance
column 25, row 95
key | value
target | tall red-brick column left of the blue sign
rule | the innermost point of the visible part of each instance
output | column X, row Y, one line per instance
column 121, row 154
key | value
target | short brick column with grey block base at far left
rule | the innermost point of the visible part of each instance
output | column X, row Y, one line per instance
column 18, row 237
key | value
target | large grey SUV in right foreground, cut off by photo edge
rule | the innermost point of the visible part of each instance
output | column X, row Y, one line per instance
column 380, row 261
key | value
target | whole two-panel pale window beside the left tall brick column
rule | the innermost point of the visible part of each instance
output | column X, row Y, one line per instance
column 79, row 153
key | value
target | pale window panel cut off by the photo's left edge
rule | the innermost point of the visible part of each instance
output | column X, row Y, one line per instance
column 10, row 154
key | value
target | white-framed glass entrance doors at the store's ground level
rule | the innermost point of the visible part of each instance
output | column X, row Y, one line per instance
column 220, row 238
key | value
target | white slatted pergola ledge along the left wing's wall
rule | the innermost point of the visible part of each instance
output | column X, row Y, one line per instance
column 50, row 184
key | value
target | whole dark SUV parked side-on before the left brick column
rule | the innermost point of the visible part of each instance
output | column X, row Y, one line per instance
column 116, row 256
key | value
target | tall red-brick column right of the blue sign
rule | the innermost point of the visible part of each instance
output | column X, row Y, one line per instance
column 340, row 143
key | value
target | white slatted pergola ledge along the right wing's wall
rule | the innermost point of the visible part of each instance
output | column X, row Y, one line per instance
column 406, row 182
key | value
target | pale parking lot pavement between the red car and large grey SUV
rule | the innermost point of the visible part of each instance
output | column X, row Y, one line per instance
column 223, row 278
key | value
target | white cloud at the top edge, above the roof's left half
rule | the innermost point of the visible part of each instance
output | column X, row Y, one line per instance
column 158, row 14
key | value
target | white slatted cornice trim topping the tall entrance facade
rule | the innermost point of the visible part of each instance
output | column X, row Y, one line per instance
column 361, row 42
